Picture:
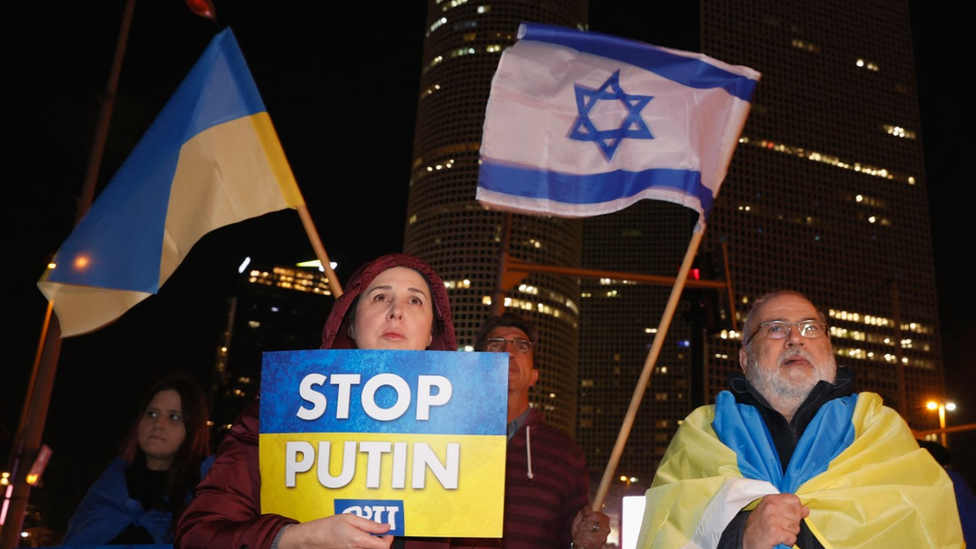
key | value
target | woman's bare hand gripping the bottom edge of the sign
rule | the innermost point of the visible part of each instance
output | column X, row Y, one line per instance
column 336, row 532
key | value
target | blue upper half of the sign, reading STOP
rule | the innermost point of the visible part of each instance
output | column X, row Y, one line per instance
column 402, row 392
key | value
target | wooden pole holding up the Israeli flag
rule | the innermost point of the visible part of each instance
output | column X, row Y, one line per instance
column 645, row 377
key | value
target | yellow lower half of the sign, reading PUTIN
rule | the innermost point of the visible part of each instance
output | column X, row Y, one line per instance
column 424, row 485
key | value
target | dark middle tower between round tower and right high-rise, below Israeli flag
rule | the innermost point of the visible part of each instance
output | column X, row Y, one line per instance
column 619, row 321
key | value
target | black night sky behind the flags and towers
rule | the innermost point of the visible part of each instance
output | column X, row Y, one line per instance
column 341, row 90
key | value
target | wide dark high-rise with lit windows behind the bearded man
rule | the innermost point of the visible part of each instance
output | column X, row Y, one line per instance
column 827, row 193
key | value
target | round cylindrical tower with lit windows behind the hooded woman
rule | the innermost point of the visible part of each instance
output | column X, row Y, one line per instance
column 449, row 229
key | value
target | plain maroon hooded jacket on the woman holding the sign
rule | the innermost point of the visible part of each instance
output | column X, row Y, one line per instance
column 227, row 509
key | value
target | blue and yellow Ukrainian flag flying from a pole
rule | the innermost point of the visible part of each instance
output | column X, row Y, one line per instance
column 211, row 158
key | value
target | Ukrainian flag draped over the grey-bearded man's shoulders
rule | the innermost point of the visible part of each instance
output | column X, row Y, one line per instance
column 875, row 487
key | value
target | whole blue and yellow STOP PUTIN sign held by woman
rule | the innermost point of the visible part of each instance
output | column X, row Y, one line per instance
column 414, row 439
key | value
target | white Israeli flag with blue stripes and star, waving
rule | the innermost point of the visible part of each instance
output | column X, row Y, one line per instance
column 581, row 124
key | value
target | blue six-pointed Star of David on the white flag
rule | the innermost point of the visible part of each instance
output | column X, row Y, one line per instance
column 631, row 127
